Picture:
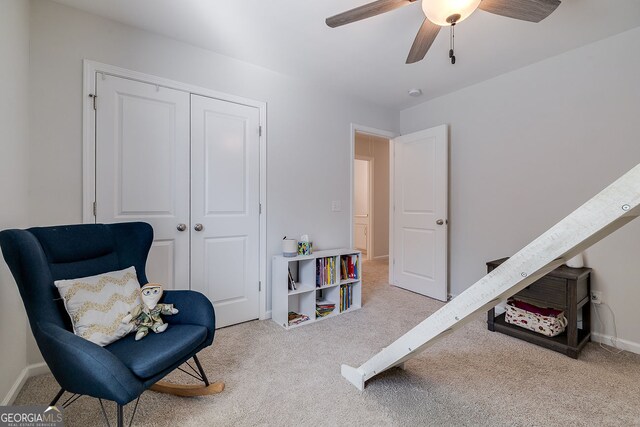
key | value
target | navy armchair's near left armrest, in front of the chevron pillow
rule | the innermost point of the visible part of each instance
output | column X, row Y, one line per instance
column 83, row 367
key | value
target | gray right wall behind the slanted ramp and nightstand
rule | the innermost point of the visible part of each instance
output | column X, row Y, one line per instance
column 529, row 147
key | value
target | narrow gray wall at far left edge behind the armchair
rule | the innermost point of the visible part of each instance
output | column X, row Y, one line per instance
column 14, row 144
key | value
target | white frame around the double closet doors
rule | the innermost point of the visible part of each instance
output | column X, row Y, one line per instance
column 89, row 152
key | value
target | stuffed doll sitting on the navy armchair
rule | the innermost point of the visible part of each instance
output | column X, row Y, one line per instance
column 147, row 315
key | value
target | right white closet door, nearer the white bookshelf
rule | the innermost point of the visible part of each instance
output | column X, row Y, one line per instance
column 225, row 170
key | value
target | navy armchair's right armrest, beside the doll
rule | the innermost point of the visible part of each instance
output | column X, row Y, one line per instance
column 194, row 309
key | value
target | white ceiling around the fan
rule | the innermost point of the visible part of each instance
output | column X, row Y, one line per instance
column 367, row 58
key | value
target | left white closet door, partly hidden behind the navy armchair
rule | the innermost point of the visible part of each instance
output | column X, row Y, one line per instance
column 142, row 168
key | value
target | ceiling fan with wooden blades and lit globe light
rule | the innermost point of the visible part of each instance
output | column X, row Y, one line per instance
column 447, row 13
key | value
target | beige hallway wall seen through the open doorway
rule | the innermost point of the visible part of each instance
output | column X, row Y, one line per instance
column 378, row 148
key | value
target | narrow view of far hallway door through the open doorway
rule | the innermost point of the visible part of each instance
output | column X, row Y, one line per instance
column 361, row 205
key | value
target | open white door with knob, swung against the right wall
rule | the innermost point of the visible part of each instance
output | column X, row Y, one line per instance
column 420, row 200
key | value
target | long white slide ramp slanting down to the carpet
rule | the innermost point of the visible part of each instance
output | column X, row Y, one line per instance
column 612, row 208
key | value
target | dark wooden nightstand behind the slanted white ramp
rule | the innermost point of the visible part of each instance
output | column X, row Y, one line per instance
column 564, row 288
